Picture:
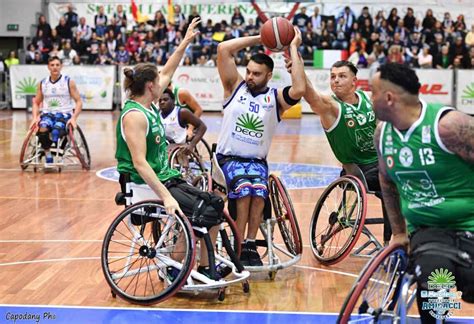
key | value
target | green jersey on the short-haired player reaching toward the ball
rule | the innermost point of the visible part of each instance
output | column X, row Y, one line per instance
column 352, row 135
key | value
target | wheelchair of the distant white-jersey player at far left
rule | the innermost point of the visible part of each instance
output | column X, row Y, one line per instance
column 70, row 150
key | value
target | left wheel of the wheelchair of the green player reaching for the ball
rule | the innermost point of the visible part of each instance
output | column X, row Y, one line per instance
column 338, row 219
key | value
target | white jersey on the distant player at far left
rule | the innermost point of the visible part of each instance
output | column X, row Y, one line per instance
column 56, row 96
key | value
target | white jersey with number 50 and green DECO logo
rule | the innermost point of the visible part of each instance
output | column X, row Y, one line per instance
column 249, row 123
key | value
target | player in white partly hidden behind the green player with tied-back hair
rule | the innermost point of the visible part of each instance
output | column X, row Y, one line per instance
column 175, row 120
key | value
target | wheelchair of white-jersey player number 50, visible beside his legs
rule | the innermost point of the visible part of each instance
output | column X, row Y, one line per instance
column 280, row 248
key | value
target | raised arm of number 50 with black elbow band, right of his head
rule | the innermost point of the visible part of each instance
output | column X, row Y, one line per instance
column 298, row 85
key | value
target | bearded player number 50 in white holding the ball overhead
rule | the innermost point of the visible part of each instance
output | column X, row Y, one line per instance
column 252, row 111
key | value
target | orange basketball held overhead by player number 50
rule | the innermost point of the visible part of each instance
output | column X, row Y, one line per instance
column 277, row 33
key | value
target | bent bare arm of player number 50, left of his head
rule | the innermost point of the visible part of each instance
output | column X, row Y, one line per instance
column 228, row 73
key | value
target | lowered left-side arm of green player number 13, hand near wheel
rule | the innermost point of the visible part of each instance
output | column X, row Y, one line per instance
column 391, row 198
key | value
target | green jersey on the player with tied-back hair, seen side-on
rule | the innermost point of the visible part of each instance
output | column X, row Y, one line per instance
column 156, row 148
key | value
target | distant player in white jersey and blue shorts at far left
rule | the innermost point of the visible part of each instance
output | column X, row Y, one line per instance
column 56, row 94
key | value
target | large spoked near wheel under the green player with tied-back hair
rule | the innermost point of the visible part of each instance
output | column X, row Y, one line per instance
column 147, row 255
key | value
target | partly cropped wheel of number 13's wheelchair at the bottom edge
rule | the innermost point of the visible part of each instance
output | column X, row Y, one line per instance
column 376, row 290
